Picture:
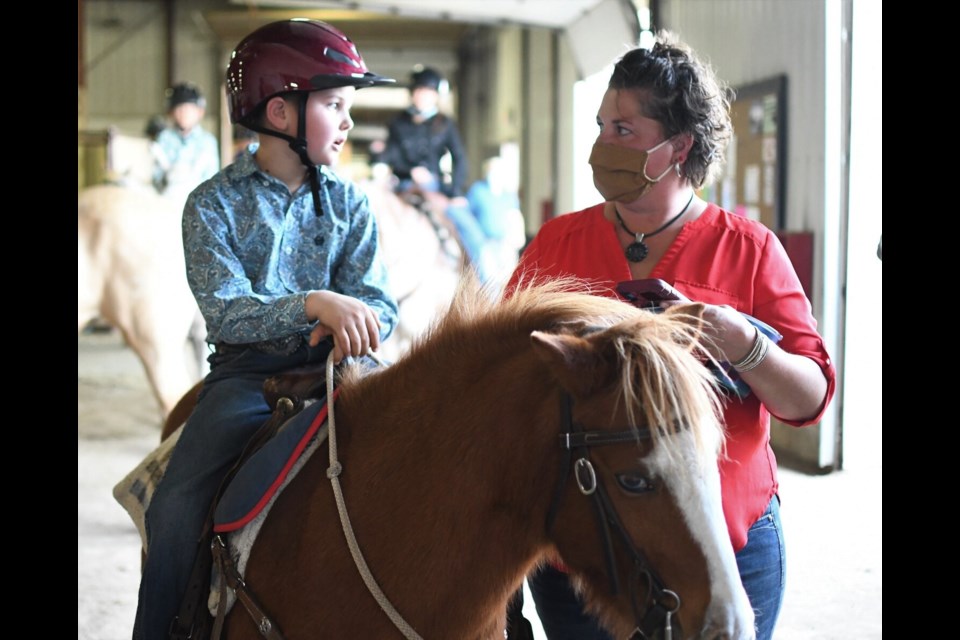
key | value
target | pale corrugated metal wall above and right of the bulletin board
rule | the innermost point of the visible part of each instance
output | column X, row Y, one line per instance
column 748, row 41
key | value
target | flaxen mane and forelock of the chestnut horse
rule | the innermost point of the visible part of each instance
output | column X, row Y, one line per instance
column 662, row 355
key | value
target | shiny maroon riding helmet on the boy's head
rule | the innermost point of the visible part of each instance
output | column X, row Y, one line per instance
column 292, row 55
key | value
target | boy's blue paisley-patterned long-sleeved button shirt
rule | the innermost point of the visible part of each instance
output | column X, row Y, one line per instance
column 254, row 251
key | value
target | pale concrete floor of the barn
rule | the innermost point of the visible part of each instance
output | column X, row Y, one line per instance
column 833, row 524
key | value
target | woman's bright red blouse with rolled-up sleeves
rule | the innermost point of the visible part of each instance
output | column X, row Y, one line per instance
column 719, row 258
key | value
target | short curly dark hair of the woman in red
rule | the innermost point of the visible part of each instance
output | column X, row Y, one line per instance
column 683, row 94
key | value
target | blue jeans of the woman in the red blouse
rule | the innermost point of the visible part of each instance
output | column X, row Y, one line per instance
column 762, row 564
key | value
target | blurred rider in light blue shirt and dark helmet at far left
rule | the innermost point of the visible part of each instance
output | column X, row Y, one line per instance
column 185, row 154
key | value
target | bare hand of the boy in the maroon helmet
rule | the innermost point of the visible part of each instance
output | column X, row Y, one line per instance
column 354, row 326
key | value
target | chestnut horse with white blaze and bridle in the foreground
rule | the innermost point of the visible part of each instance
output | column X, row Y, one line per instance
column 552, row 426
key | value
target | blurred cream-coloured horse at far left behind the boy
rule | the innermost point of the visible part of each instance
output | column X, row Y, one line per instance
column 131, row 274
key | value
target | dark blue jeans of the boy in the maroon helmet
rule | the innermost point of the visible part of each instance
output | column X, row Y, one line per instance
column 230, row 410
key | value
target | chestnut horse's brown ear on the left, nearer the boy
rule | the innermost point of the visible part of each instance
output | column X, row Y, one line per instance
column 575, row 361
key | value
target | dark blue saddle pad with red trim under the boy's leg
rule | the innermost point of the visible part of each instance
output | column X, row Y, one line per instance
column 258, row 480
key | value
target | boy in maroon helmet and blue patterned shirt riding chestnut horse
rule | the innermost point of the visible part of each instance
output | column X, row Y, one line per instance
column 283, row 260
